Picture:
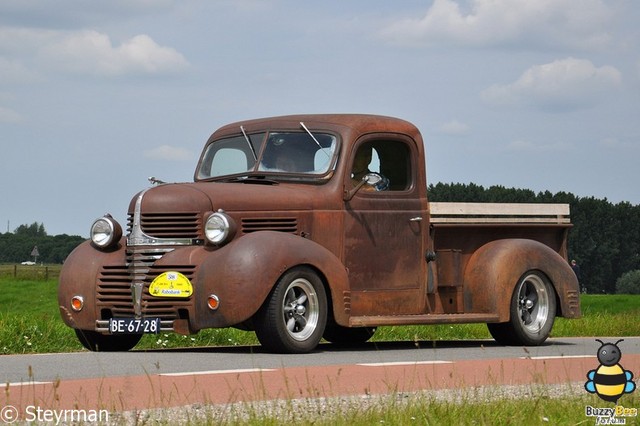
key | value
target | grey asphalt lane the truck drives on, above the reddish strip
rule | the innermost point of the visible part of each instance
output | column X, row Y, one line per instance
column 82, row 365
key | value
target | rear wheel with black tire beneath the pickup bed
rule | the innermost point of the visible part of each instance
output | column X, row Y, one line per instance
column 532, row 312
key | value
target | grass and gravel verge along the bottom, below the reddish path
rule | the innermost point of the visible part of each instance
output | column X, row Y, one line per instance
column 530, row 405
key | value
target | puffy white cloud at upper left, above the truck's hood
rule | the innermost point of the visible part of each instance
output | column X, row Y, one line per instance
column 92, row 52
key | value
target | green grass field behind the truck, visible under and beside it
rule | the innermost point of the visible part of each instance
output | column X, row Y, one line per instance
column 30, row 323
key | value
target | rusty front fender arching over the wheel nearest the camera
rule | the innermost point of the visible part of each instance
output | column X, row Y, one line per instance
column 243, row 273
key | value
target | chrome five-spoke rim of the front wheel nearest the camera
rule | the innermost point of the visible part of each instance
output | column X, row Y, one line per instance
column 301, row 309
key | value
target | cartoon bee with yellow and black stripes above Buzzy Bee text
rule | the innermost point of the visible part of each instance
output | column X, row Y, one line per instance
column 609, row 381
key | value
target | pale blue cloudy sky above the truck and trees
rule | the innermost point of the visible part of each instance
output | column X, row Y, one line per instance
column 96, row 96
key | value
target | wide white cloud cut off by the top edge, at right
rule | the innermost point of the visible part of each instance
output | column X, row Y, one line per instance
column 569, row 23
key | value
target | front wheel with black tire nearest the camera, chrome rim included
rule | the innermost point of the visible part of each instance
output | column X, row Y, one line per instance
column 293, row 318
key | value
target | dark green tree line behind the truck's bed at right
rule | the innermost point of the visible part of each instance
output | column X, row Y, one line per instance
column 604, row 239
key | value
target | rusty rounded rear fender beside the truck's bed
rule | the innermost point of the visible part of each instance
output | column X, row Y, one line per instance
column 494, row 269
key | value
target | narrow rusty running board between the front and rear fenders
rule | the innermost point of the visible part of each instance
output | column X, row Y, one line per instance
column 373, row 320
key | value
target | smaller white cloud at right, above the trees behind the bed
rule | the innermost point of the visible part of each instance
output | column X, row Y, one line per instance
column 560, row 85
